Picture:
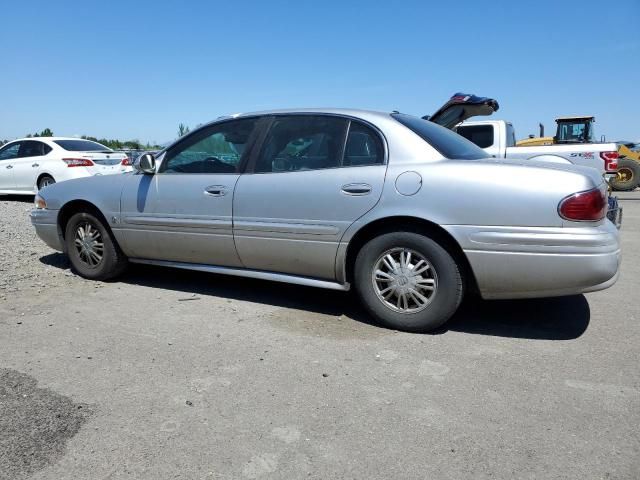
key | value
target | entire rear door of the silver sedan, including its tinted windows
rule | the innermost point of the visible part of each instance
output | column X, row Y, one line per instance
column 313, row 176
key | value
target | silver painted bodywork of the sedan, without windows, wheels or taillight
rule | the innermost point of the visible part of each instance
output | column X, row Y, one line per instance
column 297, row 226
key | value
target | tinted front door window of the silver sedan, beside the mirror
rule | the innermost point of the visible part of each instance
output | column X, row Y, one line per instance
column 215, row 149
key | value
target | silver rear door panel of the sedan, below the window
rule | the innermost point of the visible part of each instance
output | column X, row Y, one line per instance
column 282, row 223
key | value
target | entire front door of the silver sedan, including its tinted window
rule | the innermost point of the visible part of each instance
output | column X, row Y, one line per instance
column 183, row 213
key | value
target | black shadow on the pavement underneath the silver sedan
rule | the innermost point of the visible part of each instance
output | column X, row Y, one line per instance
column 561, row 318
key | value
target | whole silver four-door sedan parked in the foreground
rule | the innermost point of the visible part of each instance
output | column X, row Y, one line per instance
column 407, row 212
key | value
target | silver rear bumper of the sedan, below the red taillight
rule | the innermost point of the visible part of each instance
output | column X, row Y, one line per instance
column 541, row 262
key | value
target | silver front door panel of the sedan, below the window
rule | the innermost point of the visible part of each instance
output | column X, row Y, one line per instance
column 172, row 217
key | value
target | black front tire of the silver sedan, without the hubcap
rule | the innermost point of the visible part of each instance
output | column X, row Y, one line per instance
column 112, row 261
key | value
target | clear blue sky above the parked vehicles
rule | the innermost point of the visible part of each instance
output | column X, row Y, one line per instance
column 137, row 69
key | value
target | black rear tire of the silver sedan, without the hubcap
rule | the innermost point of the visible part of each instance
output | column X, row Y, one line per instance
column 445, row 299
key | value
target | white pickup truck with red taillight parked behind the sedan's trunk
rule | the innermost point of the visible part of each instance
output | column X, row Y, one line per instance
column 498, row 139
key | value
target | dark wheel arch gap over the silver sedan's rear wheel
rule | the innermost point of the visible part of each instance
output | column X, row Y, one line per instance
column 409, row 224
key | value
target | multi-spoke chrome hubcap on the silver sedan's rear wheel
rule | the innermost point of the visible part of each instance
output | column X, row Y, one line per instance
column 404, row 280
